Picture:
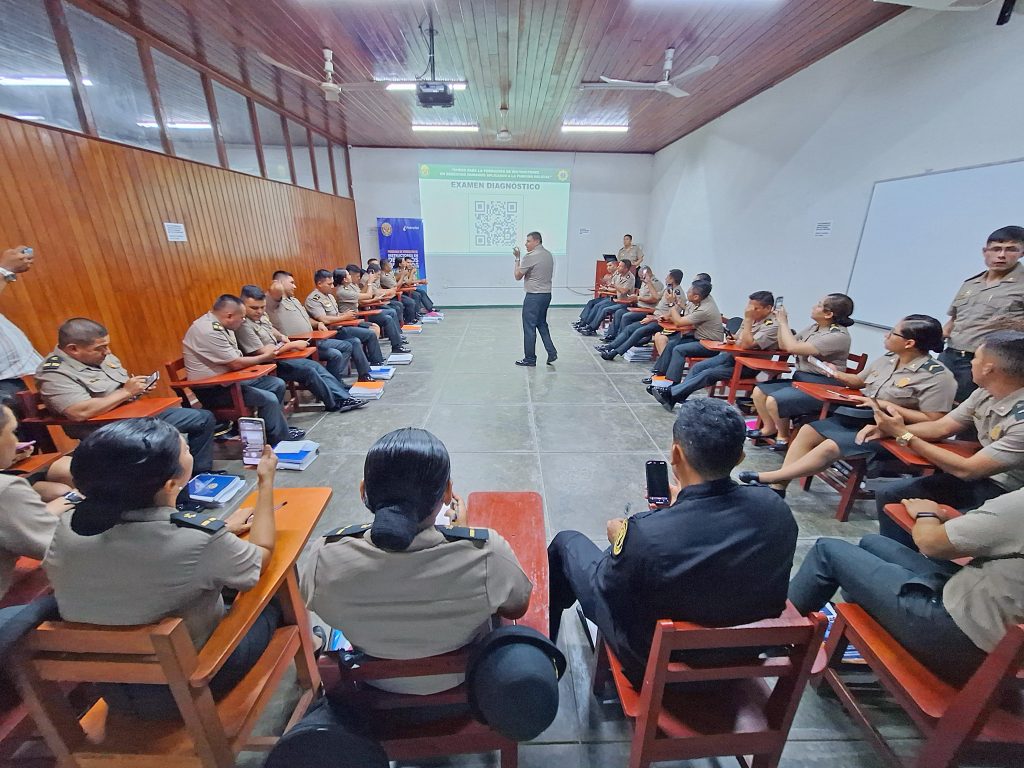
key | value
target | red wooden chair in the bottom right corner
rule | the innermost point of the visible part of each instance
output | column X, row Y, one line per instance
column 985, row 714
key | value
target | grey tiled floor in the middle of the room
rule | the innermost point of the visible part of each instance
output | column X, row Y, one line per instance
column 579, row 433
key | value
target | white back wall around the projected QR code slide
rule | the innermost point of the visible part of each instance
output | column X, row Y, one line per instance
column 611, row 196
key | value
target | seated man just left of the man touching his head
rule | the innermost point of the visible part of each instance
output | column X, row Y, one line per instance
column 257, row 335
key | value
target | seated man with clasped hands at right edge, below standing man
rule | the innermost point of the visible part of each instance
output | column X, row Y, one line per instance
column 996, row 410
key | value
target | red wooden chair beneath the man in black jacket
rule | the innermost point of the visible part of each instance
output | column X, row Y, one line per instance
column 742, row 715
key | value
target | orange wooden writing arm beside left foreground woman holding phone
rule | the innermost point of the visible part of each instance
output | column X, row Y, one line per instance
column 295, row 523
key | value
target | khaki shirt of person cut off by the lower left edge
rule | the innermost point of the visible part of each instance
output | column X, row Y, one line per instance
column 26, row 527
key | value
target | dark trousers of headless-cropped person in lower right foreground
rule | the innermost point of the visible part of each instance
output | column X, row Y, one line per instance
column 901, row 589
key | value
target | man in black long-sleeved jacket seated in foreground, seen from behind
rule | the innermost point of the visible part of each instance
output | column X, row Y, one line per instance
column 719, row 556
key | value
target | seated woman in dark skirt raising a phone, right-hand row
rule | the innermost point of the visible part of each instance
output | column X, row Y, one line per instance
column 826, row 339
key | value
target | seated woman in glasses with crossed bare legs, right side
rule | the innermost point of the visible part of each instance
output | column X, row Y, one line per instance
column 907, row 379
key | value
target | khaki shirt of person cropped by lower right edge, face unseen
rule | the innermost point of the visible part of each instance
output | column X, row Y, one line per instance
column 988, row 594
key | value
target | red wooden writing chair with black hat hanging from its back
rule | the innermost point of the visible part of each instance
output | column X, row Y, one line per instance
column 520, row 519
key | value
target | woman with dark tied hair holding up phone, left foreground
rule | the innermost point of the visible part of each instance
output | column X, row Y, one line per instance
column 126, row 558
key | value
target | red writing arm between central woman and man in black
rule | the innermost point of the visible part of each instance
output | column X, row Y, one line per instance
column 520, row 519
